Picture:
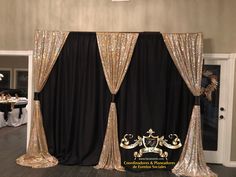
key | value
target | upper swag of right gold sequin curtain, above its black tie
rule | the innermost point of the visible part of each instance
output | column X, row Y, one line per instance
column 186, row 52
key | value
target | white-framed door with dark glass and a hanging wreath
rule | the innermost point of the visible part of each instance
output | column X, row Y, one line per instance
column 217, row 107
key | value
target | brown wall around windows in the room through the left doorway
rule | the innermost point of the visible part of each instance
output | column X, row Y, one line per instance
column 13, row 62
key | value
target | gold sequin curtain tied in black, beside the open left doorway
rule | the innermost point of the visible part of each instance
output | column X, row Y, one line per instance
column 48, row 45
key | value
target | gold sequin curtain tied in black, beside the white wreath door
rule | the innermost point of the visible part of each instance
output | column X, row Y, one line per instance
column 186, row 52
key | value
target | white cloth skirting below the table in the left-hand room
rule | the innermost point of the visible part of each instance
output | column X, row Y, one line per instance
column 13, row 118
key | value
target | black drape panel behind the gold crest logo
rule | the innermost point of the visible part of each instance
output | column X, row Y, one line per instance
column 153, row 95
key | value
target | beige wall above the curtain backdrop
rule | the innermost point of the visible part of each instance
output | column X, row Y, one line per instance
column 215, row 18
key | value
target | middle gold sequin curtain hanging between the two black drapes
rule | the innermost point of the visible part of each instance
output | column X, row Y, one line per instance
column 116, row 50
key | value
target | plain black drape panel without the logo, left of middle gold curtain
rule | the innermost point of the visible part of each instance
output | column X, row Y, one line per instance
column 75, row 102
